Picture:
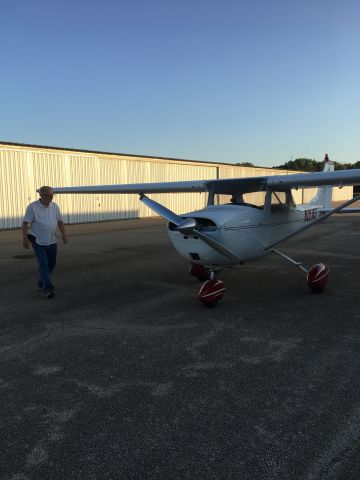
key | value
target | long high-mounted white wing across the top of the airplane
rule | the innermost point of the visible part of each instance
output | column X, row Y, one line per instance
column 337, row 178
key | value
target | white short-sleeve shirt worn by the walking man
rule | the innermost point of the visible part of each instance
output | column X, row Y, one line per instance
column 43, row 221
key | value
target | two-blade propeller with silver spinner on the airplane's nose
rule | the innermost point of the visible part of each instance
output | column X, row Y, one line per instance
column 188, row 227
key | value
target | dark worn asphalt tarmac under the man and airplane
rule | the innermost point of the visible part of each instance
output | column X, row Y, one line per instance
column 125, row 375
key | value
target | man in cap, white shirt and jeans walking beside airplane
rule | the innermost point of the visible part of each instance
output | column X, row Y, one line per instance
column 43, row 217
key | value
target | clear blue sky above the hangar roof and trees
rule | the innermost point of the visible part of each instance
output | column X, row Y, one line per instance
column 259, row 81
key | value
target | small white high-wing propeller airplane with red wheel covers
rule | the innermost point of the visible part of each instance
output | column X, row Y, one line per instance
column 234, row 233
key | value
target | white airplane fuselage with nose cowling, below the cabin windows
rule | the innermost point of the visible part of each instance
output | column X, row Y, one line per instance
column 245, row 230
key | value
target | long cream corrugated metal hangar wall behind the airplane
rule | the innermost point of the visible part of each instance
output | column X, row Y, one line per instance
column 24, row 169
